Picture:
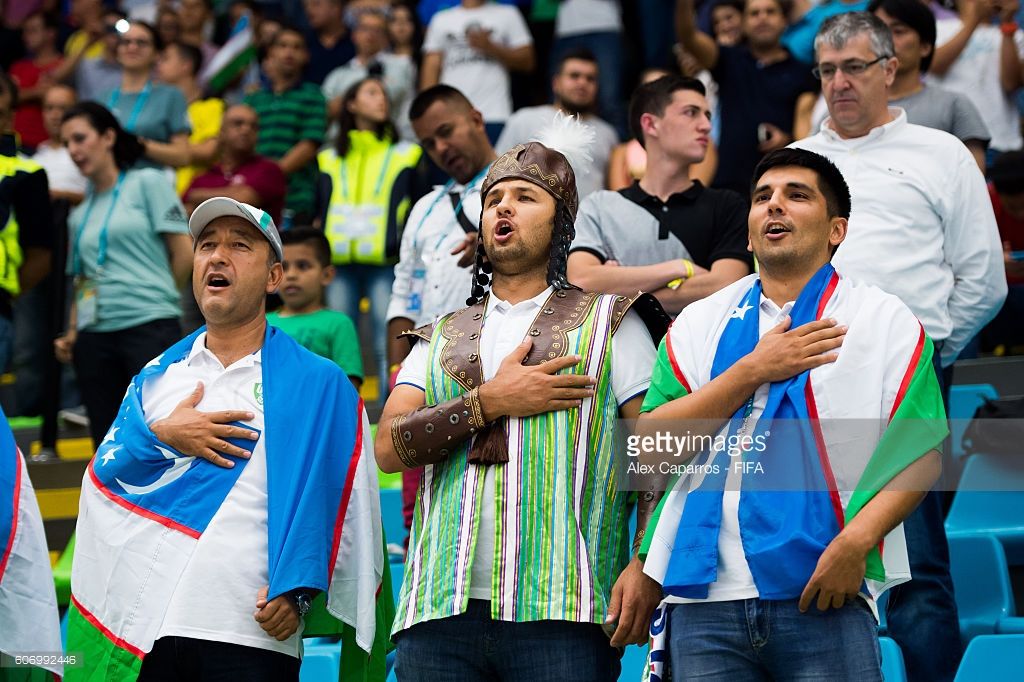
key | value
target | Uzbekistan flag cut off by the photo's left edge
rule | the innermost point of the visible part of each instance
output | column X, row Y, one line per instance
column 29, row 622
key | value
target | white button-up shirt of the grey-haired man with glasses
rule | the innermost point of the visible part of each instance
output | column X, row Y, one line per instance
column 922, row 226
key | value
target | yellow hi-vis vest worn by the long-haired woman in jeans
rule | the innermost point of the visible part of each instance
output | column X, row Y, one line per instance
column 363, row 198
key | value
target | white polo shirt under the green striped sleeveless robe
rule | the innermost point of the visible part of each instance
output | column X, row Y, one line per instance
column 505, row 327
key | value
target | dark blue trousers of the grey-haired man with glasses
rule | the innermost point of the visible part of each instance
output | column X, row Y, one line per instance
column 922, row 614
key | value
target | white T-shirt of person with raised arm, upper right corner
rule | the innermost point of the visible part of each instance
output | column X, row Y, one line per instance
column 976, row 74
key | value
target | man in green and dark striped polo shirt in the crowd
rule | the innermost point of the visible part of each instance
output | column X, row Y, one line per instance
column 292, row 122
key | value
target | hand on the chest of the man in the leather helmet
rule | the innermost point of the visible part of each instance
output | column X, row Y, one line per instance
column 521, row 391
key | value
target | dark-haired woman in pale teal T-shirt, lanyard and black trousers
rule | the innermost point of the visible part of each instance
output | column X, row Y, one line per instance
column 131, row 254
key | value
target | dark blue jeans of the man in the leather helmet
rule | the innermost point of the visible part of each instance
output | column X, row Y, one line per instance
column 473, row 648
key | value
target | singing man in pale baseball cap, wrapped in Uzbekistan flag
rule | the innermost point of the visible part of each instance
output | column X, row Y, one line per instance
column 237, row 481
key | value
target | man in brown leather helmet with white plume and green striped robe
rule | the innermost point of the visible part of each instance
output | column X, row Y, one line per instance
column 520, row 551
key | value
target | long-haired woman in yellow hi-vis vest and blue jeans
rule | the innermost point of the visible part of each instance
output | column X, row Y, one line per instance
column 365, row 196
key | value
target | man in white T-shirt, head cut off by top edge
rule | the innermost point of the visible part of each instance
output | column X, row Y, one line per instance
column 474, row 48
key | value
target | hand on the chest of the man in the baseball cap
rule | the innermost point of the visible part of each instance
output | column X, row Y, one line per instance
column 203, row 434
